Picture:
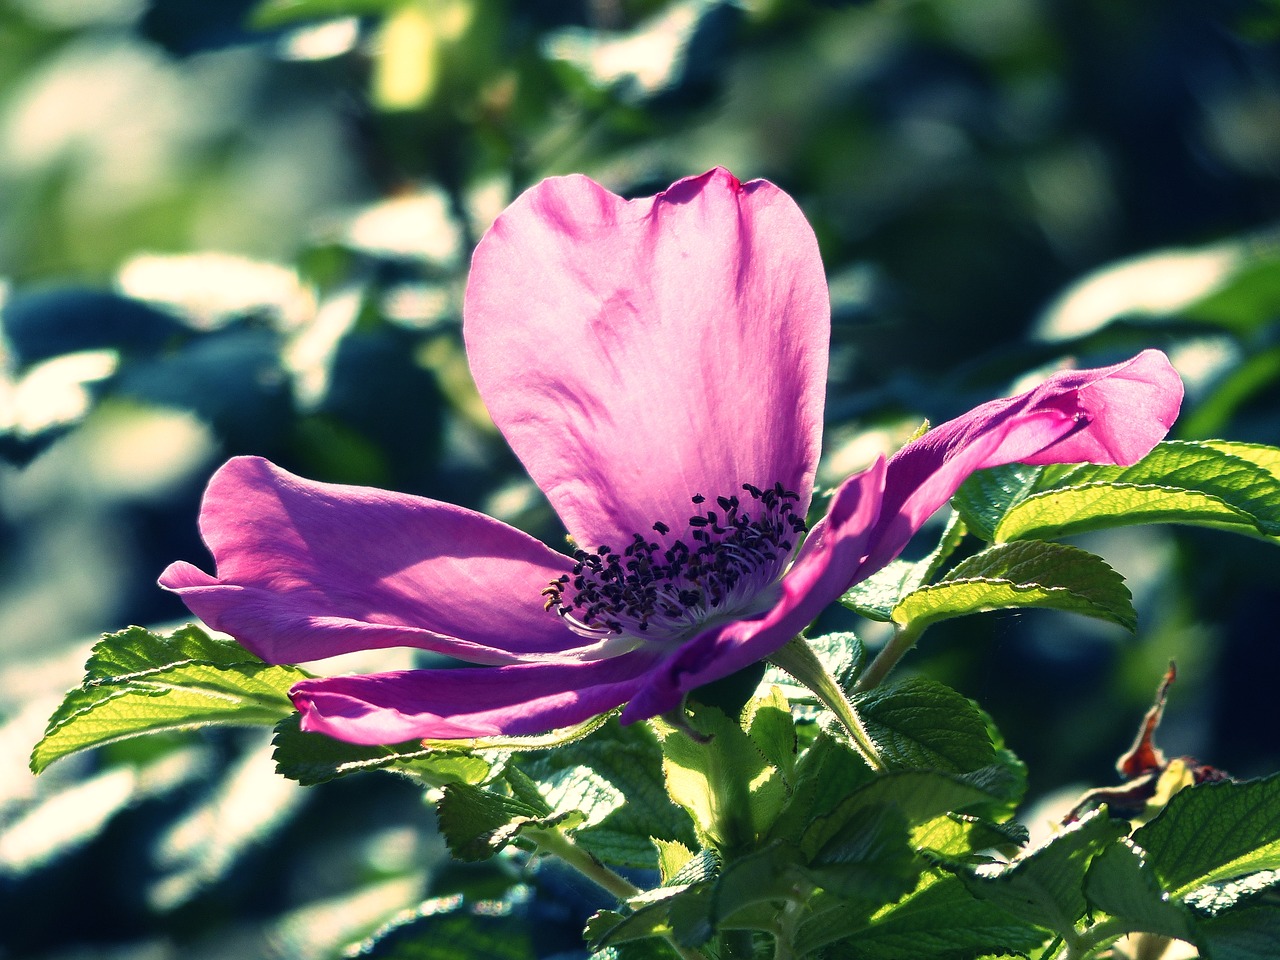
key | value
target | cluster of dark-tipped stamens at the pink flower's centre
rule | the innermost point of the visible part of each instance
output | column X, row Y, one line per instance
column 666, row 588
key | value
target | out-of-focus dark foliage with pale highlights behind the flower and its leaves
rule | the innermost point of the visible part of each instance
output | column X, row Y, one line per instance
column 244, row 227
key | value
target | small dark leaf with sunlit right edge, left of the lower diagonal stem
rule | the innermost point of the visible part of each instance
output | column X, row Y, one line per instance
column 478, row 824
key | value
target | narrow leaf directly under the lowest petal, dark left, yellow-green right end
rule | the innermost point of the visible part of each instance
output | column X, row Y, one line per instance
column 314, row 758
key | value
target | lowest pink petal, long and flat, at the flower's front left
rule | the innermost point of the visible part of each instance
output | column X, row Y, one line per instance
column 451, row 705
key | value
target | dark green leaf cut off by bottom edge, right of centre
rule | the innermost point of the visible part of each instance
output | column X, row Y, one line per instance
column 940, row 920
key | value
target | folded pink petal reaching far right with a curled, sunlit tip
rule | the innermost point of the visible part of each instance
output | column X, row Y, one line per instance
column 1108, row 415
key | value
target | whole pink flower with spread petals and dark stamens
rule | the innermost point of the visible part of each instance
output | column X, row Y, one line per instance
column 659, row 365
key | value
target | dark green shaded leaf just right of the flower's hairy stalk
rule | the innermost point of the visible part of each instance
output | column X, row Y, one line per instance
column 920, row 724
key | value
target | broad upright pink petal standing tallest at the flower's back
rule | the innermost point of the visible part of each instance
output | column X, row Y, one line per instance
column 636, row 354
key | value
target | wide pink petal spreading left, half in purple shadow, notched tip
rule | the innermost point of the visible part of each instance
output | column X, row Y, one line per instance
column 308, row 572
